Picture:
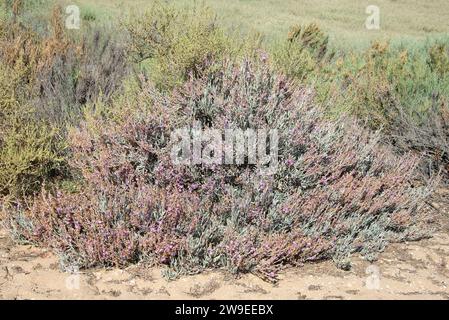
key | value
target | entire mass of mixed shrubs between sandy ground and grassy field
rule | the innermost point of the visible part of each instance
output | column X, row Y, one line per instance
column 86, row 117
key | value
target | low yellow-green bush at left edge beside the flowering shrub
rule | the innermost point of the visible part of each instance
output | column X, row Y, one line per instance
column 30, row 150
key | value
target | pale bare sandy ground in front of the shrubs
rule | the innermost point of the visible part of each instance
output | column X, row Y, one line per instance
column 418, row 270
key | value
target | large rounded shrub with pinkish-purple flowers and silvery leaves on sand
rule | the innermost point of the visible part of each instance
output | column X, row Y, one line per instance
column 336, row 189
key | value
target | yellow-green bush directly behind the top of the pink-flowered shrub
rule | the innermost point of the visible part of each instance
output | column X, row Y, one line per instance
column 173, row 44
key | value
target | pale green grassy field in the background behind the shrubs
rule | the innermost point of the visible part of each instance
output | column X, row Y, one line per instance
column 344, row 20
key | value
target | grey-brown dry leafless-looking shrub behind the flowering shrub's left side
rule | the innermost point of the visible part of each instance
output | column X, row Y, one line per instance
column 93, row 69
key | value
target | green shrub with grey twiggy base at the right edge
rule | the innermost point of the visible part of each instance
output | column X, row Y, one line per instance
column 403, row 91
